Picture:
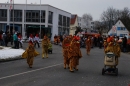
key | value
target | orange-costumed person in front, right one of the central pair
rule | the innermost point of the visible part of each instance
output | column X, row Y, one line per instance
column 74, row 54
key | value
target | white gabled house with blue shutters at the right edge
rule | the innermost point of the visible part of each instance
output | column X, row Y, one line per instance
column 119, row 30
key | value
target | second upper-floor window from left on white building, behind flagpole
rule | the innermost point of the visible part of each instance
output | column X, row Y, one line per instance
column 16, row 15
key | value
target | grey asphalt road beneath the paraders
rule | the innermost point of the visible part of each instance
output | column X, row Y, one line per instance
column 50, row 71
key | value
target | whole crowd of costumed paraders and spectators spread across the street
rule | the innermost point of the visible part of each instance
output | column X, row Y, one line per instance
column 71, row 46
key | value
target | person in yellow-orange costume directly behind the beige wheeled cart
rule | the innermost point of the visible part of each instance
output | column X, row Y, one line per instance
column 114, row 47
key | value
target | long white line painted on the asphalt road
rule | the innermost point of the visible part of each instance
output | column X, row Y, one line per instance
column 29, row 71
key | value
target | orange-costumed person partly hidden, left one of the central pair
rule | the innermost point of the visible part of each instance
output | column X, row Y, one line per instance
column 65, row 46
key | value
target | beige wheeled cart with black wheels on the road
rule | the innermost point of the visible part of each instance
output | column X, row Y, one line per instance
column 110, row 60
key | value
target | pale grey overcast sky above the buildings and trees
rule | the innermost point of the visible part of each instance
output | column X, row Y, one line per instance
column 93, row 7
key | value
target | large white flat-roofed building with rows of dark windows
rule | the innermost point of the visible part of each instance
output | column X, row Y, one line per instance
column 26, row 19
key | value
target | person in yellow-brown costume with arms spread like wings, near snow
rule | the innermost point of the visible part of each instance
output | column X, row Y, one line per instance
column 29, row 54
